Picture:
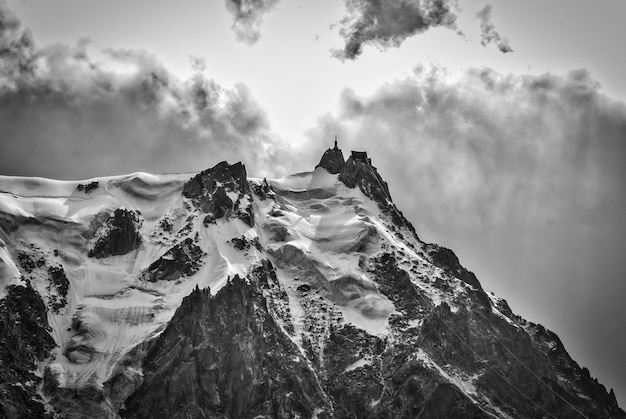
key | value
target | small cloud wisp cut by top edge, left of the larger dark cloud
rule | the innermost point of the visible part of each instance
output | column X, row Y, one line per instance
column 248, row 16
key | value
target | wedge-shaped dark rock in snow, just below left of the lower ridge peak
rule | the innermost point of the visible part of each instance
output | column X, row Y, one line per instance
column 184, row 259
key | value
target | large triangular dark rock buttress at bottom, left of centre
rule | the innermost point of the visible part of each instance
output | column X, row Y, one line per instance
column 225, row 356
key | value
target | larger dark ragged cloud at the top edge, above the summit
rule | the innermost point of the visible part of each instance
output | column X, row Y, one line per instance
column 387, row 23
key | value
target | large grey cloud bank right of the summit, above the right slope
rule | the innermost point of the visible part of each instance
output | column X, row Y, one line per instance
column 523, row 176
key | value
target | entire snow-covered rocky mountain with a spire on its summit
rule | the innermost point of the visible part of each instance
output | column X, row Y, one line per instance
column 218, row 295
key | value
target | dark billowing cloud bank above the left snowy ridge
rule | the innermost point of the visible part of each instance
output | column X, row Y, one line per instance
column 75, row 111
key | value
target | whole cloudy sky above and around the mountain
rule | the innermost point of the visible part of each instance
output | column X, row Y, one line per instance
column 500, row 126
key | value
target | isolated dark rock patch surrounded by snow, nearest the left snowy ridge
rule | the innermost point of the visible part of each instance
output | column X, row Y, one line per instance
column 119, row 235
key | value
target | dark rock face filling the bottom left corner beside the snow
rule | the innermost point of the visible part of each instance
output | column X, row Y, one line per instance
column 24, row 340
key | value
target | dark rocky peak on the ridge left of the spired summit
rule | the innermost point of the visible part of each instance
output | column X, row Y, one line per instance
column 213, row 191
